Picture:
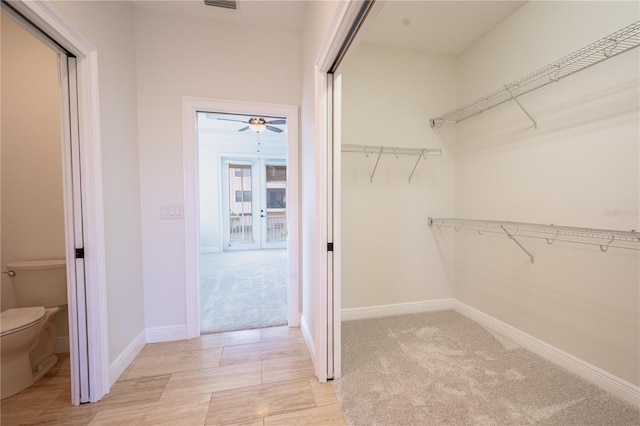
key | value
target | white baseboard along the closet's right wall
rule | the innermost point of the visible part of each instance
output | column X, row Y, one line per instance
column 607, row 381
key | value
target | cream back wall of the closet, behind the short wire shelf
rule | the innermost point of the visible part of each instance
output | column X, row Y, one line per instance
column 389, row 254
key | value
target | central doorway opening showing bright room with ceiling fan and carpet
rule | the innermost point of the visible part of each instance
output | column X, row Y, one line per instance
column 243, row 221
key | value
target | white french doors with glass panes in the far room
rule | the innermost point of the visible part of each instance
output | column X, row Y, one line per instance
column 254, row 203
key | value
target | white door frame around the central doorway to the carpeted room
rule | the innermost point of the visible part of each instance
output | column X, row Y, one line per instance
column 190, row 107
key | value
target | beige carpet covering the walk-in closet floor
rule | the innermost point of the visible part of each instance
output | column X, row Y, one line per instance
column 440, row 368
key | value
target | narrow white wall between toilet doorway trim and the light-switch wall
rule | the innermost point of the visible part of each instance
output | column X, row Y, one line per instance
column 109, row 27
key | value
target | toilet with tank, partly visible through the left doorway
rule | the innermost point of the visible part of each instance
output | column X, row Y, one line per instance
column 28, row 334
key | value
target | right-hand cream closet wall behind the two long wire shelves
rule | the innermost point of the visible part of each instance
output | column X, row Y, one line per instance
column 580, row 168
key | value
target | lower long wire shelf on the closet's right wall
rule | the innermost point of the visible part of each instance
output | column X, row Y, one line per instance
column 604, row 238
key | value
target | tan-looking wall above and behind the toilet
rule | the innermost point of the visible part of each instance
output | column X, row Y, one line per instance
column 32, row 196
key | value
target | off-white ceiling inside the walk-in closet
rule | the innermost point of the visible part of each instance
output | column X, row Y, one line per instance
column 446, row 27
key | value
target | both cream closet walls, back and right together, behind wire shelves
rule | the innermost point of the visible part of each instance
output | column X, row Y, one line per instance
column 579, row 168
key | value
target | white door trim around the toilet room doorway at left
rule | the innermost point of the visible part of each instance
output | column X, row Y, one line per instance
column 51, row 23
